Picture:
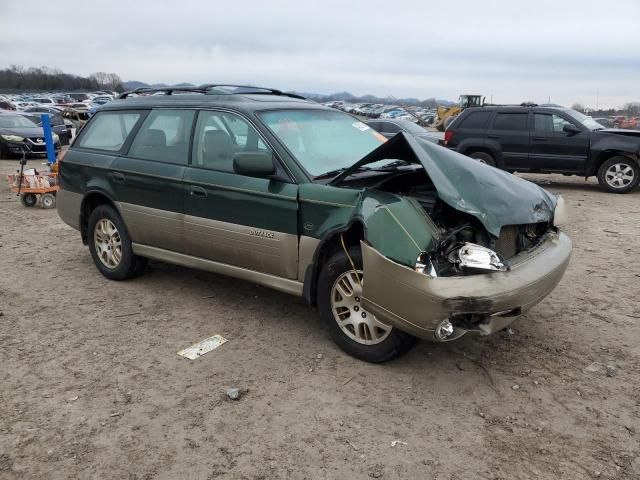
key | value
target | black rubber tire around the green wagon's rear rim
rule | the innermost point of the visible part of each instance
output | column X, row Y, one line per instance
column 127, row 266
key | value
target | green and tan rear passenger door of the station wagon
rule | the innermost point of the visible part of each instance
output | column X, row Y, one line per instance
column 149, row 179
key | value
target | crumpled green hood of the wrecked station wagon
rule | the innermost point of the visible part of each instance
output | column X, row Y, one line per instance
column 495, row 197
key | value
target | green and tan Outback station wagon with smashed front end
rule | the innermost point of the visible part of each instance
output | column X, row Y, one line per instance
column 392, row 240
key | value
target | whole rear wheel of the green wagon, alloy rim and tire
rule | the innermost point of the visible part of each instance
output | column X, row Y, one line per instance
column 110, row 244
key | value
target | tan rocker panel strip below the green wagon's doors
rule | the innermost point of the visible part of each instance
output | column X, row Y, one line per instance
column 292, row 287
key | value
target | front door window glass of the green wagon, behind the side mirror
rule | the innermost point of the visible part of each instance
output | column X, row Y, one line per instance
column 219, row 136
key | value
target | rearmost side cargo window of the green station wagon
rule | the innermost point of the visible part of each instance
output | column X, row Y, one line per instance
column 109, row 130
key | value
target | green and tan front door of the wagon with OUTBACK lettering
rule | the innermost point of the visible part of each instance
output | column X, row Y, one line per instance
column 248, row 222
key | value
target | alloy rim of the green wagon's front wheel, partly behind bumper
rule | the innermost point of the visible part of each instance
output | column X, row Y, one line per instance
column 354, row 321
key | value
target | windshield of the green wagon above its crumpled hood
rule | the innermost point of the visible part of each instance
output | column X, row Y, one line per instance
column 322, row 140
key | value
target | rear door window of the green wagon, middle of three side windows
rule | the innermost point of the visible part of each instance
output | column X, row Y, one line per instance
column 164, row 136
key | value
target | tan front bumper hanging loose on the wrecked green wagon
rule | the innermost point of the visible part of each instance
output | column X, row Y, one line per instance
column 416, row 303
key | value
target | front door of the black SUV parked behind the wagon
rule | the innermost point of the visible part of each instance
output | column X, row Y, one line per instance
column 554, row 150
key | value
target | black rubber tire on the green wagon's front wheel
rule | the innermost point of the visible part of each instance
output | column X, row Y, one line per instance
column 394, row 345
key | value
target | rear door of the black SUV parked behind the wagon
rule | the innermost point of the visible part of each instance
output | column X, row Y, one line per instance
column 510, row 131
